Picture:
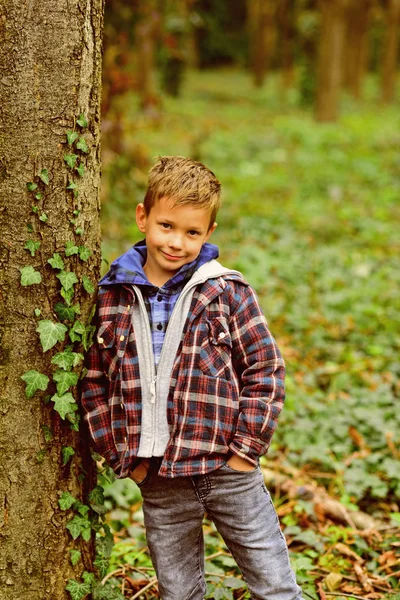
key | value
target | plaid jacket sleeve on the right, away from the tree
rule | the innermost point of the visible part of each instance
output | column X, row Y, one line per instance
column 261, row 371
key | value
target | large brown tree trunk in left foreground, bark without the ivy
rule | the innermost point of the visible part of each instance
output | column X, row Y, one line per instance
column 50, row 67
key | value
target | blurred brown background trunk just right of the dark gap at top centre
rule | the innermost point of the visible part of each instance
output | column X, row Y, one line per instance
column 261, row 31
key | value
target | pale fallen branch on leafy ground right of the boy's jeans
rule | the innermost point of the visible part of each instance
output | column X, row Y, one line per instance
column 324, row 505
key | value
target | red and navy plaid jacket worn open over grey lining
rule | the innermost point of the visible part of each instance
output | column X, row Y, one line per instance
column 227, row 383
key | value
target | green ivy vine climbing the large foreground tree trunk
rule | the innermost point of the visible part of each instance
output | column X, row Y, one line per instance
column 66, row 334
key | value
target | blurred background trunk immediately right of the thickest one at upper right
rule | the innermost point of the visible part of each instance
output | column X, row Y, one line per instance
column 356, row 45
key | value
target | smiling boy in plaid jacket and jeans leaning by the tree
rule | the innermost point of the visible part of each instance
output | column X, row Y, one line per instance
column 184, row 387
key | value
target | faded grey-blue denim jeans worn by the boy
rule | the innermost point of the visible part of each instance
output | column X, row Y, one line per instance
column 242, row 510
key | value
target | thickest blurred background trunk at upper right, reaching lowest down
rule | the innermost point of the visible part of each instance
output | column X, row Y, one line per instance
column 330, row 58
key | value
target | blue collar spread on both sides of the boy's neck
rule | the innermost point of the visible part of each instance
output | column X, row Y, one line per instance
column 128, row 268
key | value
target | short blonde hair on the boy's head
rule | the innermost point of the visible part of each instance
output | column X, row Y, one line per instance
column 184, row 181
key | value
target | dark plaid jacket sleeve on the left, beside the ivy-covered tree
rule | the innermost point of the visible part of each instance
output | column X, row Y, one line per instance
column 94, row 401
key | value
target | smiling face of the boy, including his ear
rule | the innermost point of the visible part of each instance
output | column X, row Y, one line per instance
column 174, row 237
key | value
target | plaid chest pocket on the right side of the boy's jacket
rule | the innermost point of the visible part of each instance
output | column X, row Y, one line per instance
column 215, row 358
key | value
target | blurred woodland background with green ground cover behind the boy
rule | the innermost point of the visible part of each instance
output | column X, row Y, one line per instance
column 295, row 107
